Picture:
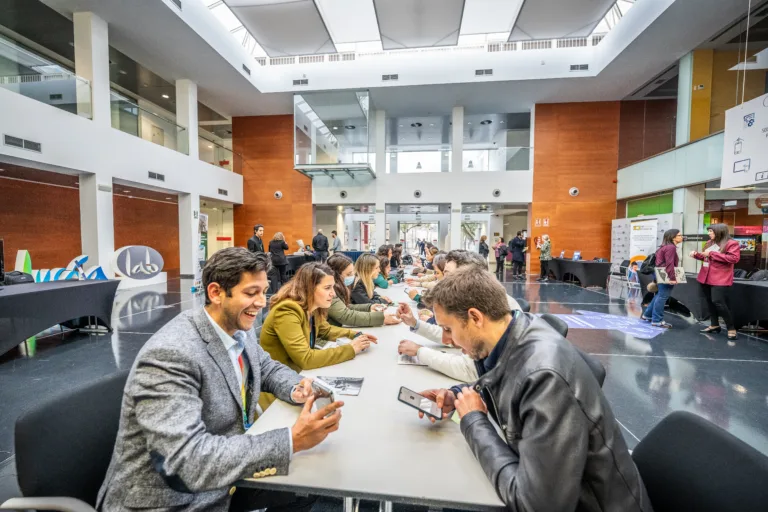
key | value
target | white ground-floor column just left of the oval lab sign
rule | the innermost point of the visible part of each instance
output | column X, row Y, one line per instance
column 97, row 227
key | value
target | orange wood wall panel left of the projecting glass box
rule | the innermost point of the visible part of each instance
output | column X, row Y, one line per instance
column 266, row 143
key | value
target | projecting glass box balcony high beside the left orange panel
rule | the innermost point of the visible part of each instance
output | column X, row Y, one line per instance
column 332, row 128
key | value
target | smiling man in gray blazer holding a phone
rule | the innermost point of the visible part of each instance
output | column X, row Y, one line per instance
column 192, row 394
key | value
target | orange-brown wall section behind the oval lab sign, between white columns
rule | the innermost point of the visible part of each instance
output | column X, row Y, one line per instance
column 151, row 223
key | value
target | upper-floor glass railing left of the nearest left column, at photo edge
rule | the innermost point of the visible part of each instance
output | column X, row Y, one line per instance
column 28, row 74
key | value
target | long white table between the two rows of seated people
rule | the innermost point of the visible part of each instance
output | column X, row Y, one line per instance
column 382, row 450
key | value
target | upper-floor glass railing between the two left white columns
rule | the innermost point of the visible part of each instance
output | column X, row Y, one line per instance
column 129, row 117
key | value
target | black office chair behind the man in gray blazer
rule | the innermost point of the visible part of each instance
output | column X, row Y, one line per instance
column 64, row 445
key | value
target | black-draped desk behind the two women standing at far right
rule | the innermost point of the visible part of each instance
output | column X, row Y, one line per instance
column 747, row 300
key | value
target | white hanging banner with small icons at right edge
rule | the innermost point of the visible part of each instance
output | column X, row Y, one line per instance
column 745, row 155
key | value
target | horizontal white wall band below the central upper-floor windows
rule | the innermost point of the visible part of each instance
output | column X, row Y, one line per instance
column 452, row 187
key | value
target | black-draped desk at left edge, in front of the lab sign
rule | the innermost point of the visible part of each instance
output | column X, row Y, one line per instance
column 29, row 308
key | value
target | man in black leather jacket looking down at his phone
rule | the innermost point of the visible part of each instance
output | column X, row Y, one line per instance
column 561, row 448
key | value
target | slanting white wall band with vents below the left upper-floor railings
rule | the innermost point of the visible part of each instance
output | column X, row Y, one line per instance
column 76, row 143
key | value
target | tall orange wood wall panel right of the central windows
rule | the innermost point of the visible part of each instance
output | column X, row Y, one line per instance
column 575, row 145
